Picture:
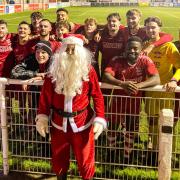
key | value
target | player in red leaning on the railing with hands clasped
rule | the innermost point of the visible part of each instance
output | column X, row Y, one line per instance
column 131, row 73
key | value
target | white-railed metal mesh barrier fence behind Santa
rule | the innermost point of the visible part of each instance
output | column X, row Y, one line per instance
column 128, row 150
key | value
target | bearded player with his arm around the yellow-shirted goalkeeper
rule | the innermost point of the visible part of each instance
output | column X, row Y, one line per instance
column 134, row 28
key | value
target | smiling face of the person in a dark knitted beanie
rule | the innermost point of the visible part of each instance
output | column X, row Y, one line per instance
column 41, row 56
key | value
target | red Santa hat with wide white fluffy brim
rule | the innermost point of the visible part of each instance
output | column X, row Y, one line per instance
column 76, row 39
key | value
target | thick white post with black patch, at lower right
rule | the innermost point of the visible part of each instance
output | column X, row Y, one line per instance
column 165, row 144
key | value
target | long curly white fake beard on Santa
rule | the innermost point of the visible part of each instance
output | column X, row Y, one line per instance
column 68, row 72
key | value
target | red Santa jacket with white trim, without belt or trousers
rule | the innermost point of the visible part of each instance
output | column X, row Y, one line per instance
column 49, row 98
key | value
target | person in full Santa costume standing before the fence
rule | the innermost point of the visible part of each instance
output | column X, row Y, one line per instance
column 68, row 90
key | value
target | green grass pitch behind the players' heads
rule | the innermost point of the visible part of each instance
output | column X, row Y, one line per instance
column 169, row 16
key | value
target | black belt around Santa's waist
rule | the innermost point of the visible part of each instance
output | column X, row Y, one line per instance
column 63, row 113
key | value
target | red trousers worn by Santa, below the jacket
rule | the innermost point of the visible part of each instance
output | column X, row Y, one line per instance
column 82, row 144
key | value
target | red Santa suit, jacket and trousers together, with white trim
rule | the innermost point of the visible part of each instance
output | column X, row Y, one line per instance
column 76, row 131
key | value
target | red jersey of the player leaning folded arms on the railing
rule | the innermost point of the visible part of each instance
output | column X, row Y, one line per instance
column 120, row 69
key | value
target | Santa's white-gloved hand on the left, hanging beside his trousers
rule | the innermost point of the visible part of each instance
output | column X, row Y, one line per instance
column 42, row 124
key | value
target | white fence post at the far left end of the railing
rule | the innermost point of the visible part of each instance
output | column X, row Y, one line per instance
column 4, row 129
